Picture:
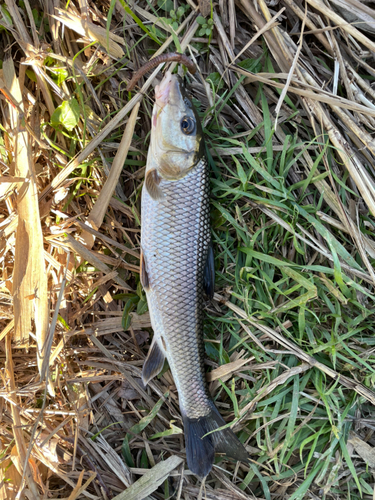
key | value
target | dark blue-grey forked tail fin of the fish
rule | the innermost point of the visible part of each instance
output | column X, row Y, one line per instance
column 200, row 451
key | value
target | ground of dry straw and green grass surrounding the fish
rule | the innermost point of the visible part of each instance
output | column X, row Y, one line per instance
column 285, row 91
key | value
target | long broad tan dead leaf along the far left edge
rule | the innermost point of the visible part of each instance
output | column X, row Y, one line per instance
column 29, row 277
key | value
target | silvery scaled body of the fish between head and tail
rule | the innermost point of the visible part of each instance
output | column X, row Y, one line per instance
column 175, row 239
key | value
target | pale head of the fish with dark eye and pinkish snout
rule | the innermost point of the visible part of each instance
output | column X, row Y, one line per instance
column 176, row 130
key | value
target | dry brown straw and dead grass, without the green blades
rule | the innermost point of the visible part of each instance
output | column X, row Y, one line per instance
column 70, row 229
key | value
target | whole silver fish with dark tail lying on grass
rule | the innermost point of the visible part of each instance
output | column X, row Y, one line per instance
column 177, row 267
